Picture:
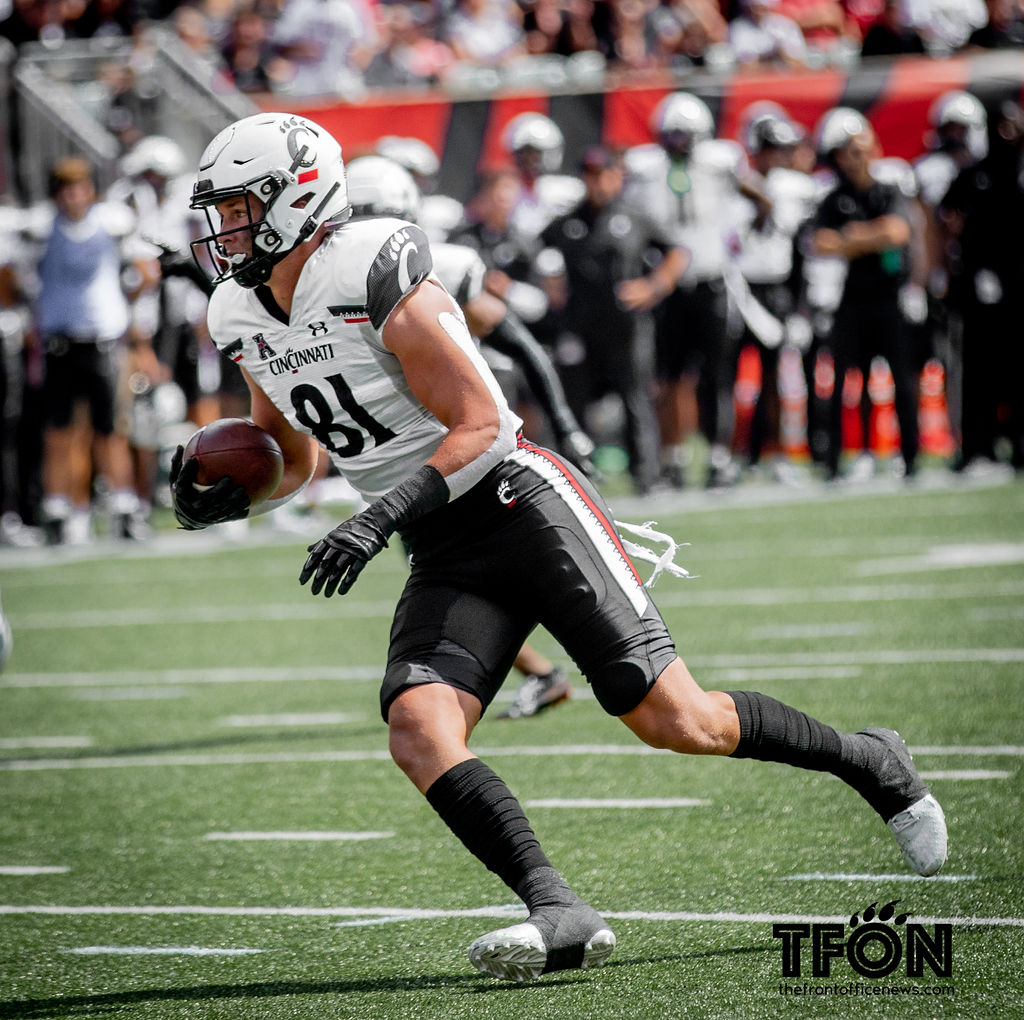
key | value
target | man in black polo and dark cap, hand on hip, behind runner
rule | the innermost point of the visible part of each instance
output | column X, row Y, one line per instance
column 618, row 265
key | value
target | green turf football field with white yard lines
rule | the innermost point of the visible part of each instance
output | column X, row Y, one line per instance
column 200, row 819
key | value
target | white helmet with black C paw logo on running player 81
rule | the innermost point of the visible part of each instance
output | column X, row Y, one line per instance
column 292, row 167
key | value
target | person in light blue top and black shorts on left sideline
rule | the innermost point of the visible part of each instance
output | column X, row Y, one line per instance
column 82, row 319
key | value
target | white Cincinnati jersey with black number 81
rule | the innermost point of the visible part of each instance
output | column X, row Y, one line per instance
column 327, row 369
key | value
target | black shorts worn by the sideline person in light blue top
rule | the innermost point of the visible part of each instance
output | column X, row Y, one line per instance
column 80, row 370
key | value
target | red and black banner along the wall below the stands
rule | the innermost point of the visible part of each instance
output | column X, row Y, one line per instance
column 895, row 96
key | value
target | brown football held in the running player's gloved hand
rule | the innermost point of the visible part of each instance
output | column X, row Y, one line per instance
column 240, row 450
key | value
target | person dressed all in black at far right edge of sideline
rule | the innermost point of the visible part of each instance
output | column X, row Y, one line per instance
column 985, row 209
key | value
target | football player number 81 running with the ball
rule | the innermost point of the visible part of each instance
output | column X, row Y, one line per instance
column 348, row 339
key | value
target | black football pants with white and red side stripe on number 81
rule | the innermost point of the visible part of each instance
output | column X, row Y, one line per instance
column 532, row 543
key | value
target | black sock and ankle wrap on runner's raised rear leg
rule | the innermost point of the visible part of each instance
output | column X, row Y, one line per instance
column 773, row 732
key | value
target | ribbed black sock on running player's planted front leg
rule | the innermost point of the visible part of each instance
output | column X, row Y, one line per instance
column 475, row 802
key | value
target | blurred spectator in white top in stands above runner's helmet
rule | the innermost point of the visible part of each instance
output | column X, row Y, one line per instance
column 329, row 45
